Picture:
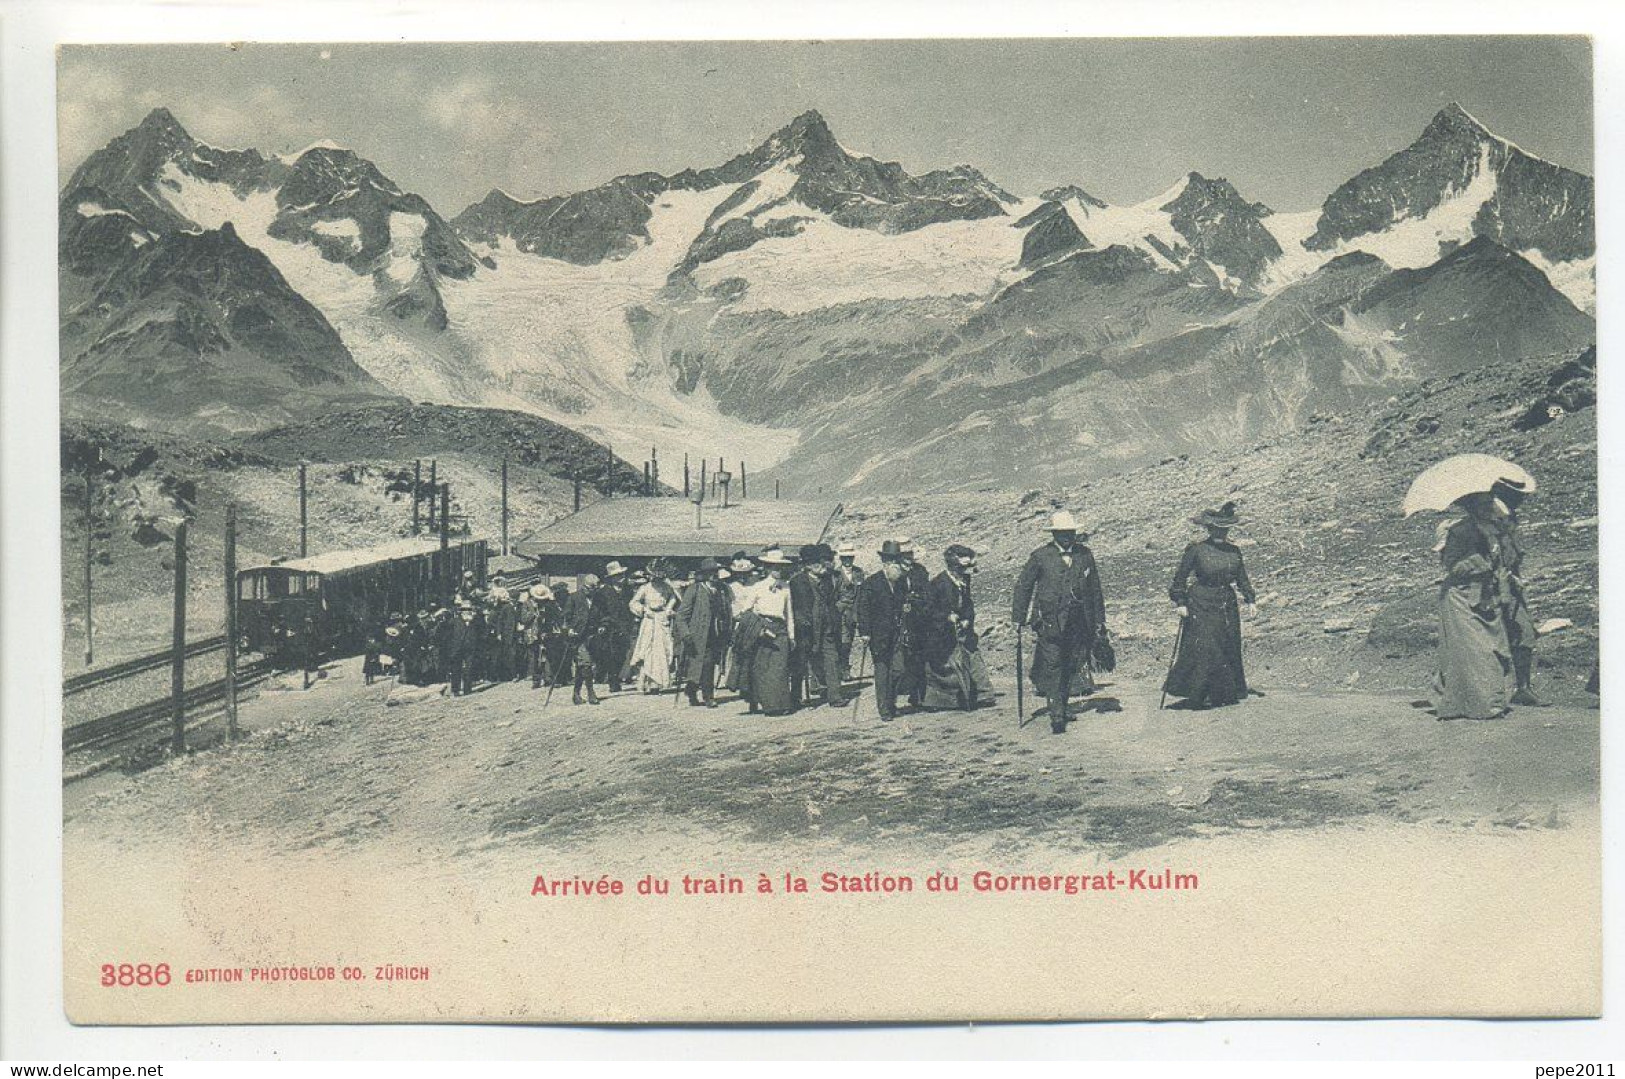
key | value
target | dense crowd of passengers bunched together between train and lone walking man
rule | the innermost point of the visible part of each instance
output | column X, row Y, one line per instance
column 781, row 631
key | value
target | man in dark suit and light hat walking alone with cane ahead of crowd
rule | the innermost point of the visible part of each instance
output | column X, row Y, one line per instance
column 1060, row 594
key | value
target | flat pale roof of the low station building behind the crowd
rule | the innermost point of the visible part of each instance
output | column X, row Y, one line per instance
column 667, row 529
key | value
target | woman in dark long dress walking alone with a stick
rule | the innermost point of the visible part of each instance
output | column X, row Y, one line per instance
column 1208, row 664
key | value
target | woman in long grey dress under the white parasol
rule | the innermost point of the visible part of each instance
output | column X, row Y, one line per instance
column 1475, row 657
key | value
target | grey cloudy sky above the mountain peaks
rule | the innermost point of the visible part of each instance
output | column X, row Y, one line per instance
column 1285, row 119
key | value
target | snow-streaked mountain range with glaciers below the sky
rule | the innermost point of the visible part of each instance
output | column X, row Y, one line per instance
column 779, row 305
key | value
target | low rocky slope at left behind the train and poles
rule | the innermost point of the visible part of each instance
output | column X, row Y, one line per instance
column 360, row 482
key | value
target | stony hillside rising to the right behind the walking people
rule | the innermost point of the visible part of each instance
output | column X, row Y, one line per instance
column 1346, row 584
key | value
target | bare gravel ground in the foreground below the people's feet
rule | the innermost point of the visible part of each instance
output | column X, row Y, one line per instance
column 345, row 766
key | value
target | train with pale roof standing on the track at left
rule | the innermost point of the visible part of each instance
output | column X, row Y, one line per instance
column 324, row 607
